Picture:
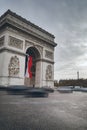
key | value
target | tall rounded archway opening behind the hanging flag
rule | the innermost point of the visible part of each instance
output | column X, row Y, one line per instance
column 34, row 53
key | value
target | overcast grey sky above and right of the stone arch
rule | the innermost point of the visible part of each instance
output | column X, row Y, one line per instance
column 67, row 21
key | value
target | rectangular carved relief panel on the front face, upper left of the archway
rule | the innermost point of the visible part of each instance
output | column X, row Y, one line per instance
column 14, row 42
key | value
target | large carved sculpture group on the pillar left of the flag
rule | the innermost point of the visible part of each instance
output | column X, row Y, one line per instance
column 14, row 66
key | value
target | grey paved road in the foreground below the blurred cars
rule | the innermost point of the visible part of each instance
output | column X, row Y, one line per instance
column 60, row 111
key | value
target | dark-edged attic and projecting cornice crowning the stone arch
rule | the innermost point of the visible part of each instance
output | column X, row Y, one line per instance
column 6, row 20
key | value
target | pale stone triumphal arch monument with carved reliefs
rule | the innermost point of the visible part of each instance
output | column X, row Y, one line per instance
column 19, row 37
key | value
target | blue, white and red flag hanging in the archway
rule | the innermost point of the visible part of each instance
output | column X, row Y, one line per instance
column 28, row 66
